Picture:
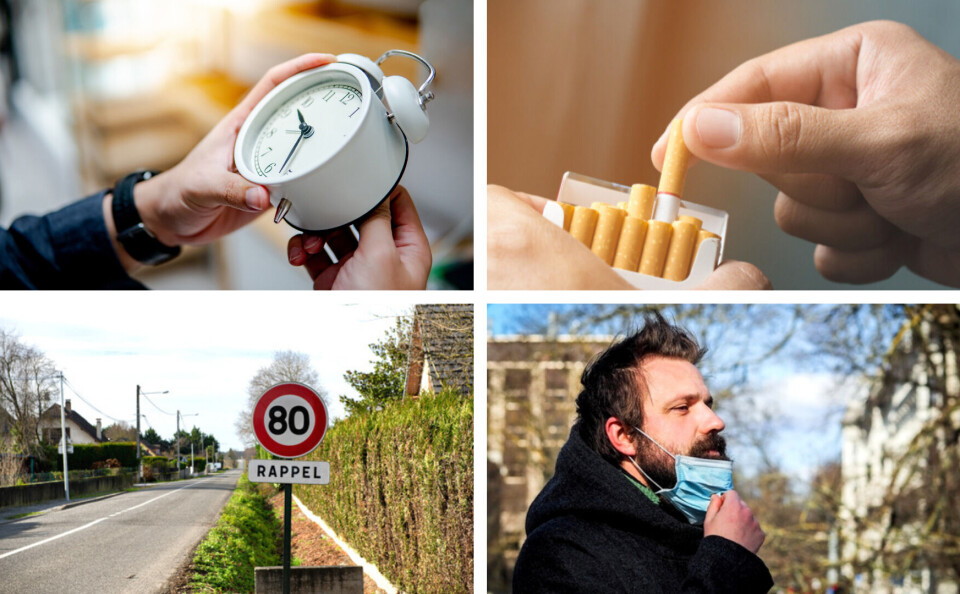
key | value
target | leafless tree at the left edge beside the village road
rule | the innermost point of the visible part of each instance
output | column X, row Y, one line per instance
column 26, row 390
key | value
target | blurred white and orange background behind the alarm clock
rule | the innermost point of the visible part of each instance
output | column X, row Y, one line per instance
column 91, row 90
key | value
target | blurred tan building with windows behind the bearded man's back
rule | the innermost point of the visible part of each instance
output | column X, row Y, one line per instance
column 532, row 385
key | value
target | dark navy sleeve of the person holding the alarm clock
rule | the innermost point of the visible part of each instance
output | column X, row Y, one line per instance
column 66, row 249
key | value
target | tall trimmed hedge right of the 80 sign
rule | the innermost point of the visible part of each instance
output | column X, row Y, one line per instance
column 401, row 490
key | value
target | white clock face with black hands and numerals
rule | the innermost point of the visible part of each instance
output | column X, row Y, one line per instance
column 332, row 111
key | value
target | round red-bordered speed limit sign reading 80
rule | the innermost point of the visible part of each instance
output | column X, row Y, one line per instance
column 289, row 420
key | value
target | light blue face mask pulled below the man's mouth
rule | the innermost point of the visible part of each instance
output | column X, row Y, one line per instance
column 697, row 480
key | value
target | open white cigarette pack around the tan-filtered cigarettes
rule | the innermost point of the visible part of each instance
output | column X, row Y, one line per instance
column 581, row 190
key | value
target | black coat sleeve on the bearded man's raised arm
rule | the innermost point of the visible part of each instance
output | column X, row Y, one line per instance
column 721, row 565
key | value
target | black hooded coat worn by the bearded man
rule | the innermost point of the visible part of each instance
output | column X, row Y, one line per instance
column 592, row 530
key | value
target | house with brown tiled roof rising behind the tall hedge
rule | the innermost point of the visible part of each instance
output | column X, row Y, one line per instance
column 441, row 349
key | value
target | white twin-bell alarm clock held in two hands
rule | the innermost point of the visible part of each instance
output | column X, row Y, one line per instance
column 331, row 143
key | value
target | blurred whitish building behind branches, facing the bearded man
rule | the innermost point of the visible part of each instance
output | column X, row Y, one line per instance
column 896, row 440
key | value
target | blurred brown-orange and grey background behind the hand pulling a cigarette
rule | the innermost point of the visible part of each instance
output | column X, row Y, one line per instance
column 575, row 85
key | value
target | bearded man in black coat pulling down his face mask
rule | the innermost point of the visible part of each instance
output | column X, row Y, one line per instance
column 642, row 499
